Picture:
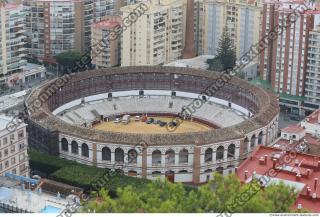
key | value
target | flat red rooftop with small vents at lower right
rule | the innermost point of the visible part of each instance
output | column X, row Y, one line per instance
column 304, row 163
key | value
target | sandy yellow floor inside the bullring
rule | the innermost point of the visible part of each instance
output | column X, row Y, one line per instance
column 141, row 127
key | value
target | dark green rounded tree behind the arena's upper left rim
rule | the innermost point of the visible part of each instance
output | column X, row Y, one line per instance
column 66, row 60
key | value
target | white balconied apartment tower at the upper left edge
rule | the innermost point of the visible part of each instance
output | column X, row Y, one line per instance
column 12, row 42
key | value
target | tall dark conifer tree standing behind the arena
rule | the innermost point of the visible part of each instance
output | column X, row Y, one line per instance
column 226, row 54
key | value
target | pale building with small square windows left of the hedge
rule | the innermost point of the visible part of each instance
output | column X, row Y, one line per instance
column 13, row 148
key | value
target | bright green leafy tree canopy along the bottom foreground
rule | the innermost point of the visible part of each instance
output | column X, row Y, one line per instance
column 216, row 196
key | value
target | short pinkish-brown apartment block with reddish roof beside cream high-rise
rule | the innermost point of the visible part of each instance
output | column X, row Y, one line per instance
column 111, row 53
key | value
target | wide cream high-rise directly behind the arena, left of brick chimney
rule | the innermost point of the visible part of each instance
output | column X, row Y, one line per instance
column 157, row 36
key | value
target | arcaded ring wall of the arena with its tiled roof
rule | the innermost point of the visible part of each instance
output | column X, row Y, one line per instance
column 195, row 155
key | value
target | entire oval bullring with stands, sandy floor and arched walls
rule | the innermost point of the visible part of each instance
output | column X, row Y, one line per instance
column 77, row 121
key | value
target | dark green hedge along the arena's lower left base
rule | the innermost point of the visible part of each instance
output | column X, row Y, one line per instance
column 80, row 175
